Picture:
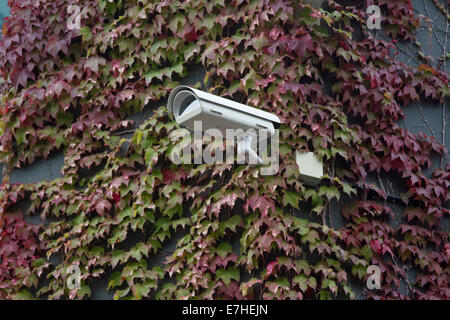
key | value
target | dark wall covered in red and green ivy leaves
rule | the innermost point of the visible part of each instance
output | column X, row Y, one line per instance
column 91, row 101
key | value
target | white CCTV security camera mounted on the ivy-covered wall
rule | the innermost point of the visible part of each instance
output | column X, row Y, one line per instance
column 189, row 105
